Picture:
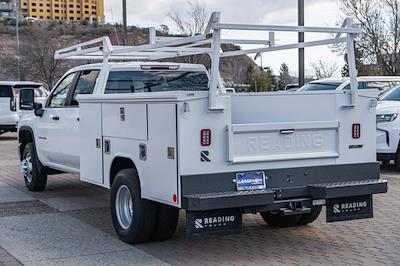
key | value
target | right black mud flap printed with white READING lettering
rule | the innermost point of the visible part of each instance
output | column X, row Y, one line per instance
column 349, row 208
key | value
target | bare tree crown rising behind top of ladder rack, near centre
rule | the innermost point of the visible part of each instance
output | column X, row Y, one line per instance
column 194, row 22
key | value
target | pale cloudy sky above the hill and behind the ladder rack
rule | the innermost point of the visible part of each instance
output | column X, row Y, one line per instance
column 146, row 13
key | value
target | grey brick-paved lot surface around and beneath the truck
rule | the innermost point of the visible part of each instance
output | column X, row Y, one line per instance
column 69, row 224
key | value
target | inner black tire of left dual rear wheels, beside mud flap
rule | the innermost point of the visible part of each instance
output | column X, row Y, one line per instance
column 166, row 222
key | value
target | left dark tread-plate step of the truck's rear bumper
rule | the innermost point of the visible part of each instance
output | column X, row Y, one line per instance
column 224, row 200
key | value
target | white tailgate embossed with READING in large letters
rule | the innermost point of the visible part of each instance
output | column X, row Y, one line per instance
column 260, row 142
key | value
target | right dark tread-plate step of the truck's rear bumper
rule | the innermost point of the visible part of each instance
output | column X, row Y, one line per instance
column 347, row 189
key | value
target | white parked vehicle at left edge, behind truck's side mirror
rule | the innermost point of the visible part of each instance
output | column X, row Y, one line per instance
column 9, row 91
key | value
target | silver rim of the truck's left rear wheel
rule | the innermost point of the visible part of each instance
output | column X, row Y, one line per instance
column 124, row 207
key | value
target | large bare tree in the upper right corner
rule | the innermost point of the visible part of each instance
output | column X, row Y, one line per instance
column 380, row 39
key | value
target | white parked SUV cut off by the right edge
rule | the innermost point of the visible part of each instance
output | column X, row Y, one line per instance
column 388, row 127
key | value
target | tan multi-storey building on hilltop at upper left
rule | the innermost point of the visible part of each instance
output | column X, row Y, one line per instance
column 66, row 10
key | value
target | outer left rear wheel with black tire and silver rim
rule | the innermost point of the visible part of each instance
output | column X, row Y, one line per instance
column 133, row 217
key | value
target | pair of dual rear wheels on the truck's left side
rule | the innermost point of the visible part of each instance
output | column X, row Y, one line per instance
column 138, row 220
